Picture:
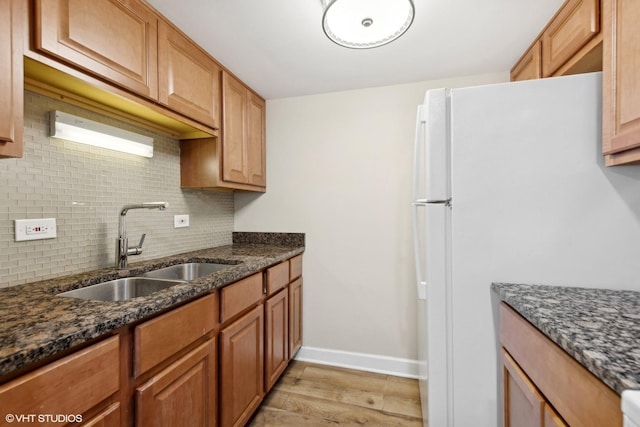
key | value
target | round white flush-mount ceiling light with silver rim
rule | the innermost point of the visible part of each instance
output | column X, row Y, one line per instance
column 363, row 24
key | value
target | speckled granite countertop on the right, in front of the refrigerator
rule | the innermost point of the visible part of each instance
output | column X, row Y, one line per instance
column 600, row 328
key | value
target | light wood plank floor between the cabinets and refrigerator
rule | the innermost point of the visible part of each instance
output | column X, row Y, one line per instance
column 317, row 395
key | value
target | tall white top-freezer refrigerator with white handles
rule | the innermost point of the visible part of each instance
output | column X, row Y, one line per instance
column 509, row 186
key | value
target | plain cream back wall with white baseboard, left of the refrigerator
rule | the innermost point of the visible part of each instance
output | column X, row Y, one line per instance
column 339, row 169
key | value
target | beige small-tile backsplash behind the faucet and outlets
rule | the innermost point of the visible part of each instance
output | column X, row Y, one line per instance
column 84, row 188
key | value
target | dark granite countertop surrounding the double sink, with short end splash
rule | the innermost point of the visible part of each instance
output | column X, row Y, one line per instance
column 35, row 324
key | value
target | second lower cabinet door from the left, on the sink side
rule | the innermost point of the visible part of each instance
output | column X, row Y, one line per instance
column 241, row 368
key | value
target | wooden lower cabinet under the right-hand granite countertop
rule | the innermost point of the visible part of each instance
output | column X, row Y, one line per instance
column 544, row 386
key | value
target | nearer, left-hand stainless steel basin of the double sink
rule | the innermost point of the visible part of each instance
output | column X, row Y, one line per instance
column 121, row 289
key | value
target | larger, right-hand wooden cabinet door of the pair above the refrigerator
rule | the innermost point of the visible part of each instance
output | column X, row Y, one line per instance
column 572, row 28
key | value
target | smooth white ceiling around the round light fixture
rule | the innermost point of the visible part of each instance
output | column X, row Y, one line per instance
column 279, row 49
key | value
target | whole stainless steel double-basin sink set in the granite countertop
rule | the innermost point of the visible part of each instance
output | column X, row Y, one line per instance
column 145, row 284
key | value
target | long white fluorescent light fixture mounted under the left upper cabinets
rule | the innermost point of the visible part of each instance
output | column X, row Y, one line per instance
column 77, row 129
